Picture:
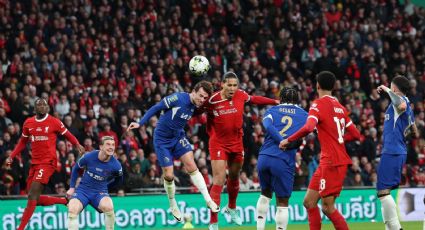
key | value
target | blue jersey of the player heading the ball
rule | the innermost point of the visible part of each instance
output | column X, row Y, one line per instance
column 177, row 110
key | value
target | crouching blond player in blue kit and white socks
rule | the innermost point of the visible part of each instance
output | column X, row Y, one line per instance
column 101, row 170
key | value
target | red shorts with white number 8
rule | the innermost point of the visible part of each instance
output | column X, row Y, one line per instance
column 328, row 180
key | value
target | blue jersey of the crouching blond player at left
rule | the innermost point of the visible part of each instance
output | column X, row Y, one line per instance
column 97, row 174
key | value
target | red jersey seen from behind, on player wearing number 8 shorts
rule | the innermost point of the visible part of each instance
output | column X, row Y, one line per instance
column 332, row 119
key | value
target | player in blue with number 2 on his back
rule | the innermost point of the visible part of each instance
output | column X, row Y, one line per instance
column 276, row 167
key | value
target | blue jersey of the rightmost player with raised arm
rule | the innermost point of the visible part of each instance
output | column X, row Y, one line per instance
column 396, row 127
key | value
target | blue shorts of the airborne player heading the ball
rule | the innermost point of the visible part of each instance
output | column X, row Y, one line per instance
column 172, row 148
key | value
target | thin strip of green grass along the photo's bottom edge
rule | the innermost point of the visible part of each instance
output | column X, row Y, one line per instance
column 353, row 226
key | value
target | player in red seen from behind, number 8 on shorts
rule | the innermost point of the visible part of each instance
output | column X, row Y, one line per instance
column 331, row 120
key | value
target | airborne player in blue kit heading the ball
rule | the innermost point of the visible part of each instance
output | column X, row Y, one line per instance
column 170, row 140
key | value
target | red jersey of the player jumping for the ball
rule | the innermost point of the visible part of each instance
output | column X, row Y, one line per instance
column 225, row 119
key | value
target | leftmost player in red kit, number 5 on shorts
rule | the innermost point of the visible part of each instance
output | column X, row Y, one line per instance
column 42, row 131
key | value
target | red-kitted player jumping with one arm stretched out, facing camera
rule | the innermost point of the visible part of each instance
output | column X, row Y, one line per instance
column 224, row 125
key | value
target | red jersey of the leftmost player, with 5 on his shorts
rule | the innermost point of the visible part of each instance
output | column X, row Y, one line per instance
column 43, row 134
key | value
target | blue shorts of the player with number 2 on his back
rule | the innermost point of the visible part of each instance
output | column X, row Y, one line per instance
column 275, row 174
